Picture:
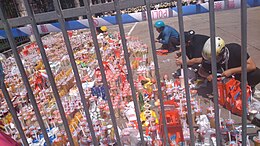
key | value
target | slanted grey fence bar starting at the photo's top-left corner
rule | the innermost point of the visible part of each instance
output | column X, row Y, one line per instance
column 23, row 74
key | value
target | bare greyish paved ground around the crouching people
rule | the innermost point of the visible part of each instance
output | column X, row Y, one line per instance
column 227, row 26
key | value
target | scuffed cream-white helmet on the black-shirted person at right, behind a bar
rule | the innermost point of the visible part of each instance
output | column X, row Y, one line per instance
column 221, row 50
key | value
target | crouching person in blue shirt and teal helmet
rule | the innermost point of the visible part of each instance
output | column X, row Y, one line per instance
column 168, row 37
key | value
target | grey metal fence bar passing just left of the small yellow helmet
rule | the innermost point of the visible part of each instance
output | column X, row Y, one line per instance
column 102, row 70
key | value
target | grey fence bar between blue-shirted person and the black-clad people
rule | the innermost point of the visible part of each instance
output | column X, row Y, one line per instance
column 185, row 70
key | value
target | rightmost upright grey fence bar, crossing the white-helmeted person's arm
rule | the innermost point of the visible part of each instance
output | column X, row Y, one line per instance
column 244, row 68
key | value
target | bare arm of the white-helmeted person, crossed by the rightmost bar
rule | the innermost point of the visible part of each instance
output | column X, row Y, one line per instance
column 250, row 67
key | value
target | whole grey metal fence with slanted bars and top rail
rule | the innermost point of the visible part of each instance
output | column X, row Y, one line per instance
column 89, row 10
